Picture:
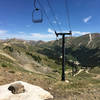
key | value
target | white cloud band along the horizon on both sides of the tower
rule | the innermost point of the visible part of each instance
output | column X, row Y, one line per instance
column 36, row 36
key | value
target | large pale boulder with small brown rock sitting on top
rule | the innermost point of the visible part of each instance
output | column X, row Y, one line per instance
column 32, row 92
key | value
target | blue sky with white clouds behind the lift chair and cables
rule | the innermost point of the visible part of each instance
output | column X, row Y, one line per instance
column 16, row 18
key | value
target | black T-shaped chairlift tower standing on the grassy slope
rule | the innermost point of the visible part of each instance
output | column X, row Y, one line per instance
column 63, row 52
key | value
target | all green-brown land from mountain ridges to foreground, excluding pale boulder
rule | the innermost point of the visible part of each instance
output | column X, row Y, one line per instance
column 39, row 63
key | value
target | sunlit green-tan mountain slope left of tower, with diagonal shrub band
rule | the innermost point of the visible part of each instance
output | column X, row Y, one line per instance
column 25, row 54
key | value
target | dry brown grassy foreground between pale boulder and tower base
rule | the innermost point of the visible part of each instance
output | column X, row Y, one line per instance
column 82, row 90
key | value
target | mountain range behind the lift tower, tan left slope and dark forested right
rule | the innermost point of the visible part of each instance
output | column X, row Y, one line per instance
column 84, row 49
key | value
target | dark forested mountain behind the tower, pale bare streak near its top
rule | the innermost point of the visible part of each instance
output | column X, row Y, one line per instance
column 84, row 49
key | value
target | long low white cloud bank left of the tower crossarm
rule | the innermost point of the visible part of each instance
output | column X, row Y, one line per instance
column 28, row 36
